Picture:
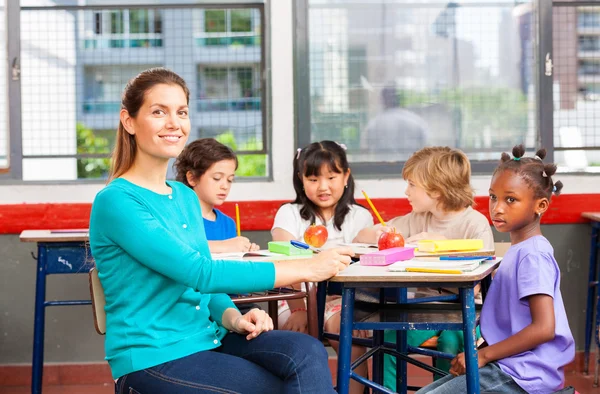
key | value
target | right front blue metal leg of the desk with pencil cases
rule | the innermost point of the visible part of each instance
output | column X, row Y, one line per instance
column 468, row 308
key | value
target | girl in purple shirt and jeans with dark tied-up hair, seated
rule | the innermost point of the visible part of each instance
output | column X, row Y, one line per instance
column 523, row 319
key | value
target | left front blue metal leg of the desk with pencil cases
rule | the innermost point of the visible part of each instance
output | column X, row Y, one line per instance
column 345, row 346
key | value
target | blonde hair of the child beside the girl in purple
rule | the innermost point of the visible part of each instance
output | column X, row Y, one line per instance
column 444, row 171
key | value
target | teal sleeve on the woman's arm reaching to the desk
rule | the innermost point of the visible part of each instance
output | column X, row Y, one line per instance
column 121, row 217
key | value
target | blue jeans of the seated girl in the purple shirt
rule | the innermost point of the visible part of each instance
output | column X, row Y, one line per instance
column 491, row 380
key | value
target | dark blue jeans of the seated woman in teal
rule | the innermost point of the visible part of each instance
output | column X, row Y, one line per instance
column 274, row 362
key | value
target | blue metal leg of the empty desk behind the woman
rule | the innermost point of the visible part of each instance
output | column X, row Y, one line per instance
column 38, row 323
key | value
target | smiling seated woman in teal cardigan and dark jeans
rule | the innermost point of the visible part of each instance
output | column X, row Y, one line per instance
column 170, row 326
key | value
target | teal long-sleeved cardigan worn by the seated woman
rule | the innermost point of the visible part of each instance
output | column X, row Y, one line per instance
column 165, row 296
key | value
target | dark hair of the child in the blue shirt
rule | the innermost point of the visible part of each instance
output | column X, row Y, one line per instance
column 198, row 156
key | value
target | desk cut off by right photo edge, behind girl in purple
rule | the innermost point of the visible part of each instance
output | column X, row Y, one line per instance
column 593, row 280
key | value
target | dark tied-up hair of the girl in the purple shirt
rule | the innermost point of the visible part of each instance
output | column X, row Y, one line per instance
column 536, row 173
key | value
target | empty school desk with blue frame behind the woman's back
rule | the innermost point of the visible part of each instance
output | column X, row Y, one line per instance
column 58, row 252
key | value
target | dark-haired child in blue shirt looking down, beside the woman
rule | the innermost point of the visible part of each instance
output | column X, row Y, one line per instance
column 208, row 167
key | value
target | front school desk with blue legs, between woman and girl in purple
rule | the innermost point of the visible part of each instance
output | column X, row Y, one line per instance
column 405, row 316
